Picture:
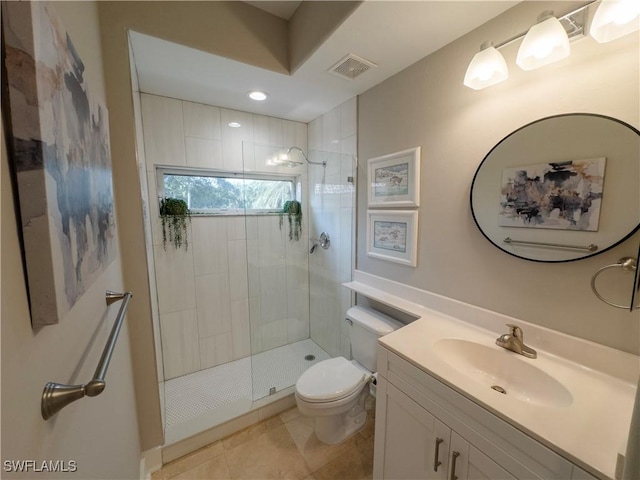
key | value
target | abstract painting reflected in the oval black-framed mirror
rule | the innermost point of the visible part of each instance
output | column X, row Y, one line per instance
column 556, row 195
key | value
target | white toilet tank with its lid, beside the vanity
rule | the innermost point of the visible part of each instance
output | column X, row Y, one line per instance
column 366, row 326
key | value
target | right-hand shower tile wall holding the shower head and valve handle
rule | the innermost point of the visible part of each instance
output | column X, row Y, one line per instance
column 332, row 137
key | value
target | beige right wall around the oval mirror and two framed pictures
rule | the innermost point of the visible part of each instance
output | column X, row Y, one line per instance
column 427, row 105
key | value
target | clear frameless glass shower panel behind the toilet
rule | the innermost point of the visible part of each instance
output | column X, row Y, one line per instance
column 296, row 302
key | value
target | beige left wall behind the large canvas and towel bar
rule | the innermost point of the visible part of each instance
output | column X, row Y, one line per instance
column 99, row 433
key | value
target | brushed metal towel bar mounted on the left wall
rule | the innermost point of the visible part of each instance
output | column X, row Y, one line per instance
column 56, row 396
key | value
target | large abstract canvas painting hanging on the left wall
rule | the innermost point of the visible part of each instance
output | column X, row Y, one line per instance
column 59, row 146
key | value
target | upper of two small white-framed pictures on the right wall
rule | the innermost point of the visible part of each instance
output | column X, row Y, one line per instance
column 394, row 179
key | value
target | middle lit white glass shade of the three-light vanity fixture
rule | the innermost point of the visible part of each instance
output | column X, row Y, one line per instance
column 546, row 42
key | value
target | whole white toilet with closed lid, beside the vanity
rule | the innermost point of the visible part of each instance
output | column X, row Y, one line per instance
column 334, row 391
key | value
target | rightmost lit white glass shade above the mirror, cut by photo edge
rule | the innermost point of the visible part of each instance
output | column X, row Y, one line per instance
column 615, row 19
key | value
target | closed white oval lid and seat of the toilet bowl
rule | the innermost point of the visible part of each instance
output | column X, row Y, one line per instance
column 330, row 380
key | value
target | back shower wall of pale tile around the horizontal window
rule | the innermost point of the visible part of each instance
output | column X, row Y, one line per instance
column 226, row 294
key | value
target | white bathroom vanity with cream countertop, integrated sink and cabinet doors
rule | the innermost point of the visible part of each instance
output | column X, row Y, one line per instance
column 452, row 404
